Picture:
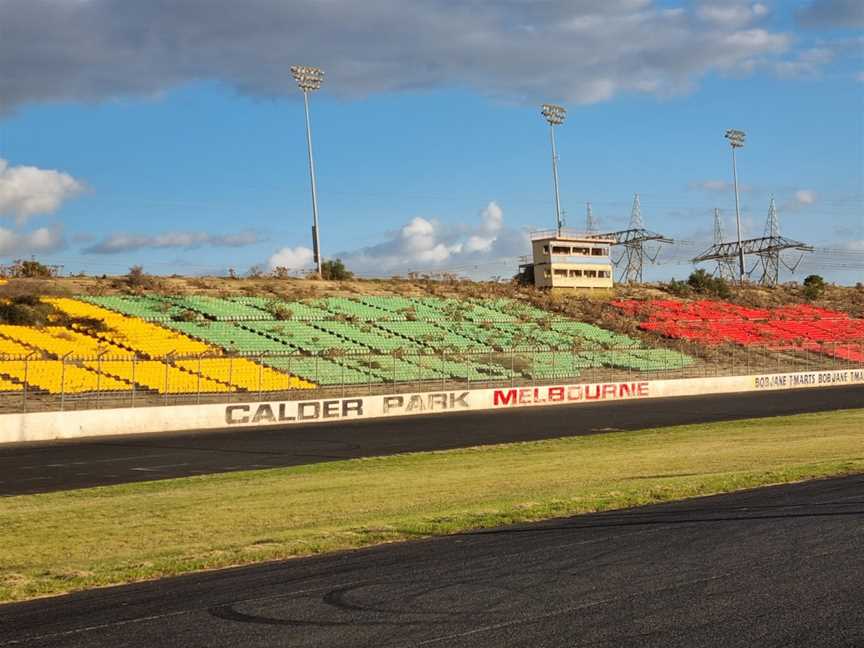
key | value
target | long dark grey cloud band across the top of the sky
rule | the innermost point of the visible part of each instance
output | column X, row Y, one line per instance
column 102, row 49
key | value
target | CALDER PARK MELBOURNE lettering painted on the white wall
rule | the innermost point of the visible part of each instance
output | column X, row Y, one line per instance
column 288, row 412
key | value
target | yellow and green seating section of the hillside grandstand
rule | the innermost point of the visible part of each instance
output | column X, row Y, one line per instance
column 175, row 345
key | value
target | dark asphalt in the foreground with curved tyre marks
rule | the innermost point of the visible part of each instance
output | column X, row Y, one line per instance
column 778, row 566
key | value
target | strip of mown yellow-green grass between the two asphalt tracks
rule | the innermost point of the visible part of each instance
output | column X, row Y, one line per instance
column 60, row 542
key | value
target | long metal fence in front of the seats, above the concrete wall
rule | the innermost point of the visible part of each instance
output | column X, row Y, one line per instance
column 42, row 382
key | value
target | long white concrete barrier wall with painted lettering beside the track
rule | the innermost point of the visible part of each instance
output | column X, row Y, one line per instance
column 45, row 426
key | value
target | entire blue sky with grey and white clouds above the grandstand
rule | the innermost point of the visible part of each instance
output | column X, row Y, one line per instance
column 169, row 133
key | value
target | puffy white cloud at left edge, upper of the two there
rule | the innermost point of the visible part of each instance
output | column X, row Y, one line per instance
column 27, row 191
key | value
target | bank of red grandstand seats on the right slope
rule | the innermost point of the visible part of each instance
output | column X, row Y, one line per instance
column 796, row 327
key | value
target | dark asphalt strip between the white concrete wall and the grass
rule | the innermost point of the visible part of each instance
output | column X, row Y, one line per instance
column 44, row 467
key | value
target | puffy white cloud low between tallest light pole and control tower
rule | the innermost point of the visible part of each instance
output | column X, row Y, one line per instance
column 428, row 245
